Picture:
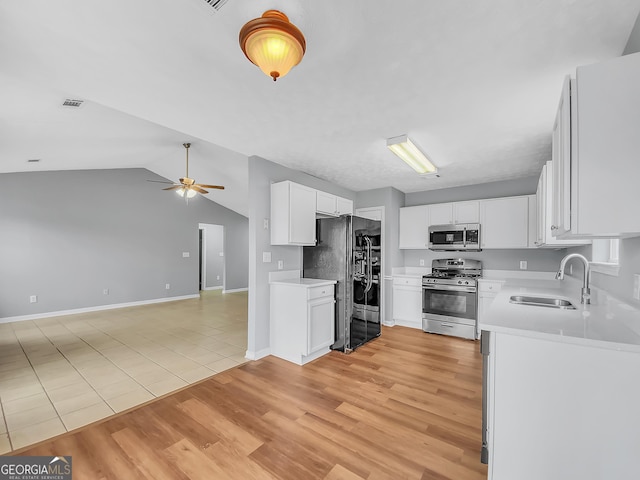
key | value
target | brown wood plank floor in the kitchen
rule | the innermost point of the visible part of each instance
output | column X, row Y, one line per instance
column 406, row 405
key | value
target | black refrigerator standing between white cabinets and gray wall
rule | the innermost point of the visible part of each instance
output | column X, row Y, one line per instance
column 348, row 250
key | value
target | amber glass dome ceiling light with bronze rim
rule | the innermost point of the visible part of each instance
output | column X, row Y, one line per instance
column 273, row 43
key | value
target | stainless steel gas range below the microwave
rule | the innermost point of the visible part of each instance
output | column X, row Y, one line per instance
column 450, row 297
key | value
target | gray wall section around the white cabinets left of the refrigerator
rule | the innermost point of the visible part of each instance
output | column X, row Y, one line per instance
column 262, row 173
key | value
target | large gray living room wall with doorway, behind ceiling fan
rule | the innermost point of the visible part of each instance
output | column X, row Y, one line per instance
column 67, row 235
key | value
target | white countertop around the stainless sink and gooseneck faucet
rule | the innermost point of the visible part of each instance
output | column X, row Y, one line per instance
column 606, row 323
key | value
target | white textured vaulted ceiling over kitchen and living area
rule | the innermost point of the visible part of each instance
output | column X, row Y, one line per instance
column 475, row 84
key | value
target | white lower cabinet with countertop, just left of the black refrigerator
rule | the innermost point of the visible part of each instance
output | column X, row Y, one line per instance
column 302, row 319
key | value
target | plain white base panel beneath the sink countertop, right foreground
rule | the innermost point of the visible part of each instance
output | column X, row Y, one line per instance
column 560, row 411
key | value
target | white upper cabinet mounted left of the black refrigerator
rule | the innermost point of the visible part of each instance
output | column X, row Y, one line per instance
column 293, row 214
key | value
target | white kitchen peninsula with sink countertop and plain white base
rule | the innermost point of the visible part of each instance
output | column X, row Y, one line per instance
column 562, row 389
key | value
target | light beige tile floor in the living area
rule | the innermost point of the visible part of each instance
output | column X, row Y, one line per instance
column 60, row 373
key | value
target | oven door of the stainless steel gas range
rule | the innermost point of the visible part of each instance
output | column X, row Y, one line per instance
column 450, row 301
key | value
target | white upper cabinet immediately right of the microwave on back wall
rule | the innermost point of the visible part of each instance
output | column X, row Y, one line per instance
column 505, row 222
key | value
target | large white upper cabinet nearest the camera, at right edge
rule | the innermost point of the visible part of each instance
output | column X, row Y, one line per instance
column 595, row 151
